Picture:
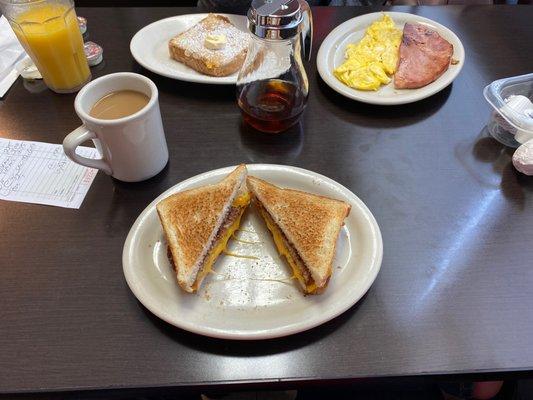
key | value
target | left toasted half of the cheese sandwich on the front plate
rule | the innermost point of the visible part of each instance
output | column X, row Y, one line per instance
column 199, row 222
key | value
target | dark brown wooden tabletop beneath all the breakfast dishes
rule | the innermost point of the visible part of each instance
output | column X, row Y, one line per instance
column 455, row 293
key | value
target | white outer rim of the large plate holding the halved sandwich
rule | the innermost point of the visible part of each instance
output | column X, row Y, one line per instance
column 349, row 300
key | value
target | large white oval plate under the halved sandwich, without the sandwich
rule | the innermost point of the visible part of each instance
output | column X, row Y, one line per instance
column 253, row 299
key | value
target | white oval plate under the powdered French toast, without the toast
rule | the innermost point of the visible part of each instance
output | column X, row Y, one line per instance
column 149, row 47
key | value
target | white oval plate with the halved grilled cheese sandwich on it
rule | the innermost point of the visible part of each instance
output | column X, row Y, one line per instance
column 204, row 259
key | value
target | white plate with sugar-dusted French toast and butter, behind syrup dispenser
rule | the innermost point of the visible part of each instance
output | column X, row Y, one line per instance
column 202, row 48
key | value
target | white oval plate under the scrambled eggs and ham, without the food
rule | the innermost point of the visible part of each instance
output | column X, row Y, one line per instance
column 331, row 55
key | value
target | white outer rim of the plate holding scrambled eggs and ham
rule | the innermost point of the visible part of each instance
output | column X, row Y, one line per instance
column 328, row 45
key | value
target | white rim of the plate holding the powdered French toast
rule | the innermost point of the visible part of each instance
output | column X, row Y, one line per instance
column 192, row 76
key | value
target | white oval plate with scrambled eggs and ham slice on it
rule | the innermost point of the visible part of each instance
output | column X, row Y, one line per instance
column 394, row 62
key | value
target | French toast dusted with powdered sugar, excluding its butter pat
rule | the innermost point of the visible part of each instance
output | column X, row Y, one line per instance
column 188, row 47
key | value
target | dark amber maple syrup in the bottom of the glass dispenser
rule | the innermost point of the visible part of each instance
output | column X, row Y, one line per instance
column 271, row 106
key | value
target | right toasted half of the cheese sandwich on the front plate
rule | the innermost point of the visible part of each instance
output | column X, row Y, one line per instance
column 305, row 228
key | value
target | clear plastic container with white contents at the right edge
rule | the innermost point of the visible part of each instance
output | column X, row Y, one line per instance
column 512, row 99
